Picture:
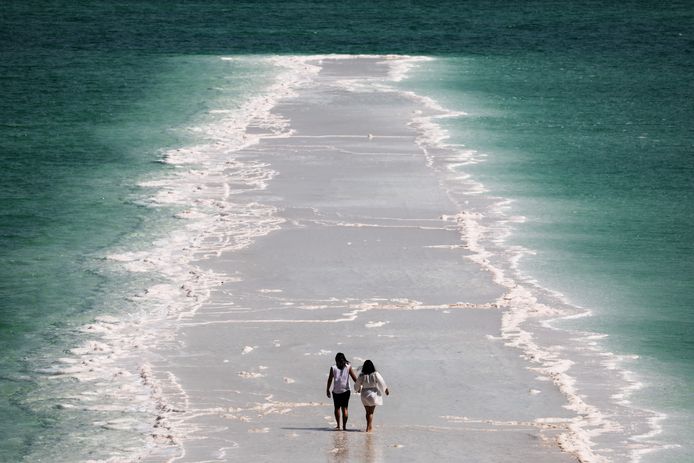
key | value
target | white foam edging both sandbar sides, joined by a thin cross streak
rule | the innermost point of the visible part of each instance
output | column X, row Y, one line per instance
column 202, row 184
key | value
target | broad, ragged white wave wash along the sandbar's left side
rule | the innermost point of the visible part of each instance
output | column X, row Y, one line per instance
column 129, row 401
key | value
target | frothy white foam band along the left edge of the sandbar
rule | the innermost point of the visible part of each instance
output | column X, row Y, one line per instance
column 201, row 185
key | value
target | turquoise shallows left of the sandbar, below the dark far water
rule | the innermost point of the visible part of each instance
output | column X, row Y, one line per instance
column 74, row 151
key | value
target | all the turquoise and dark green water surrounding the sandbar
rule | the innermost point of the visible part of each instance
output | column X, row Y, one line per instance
column 584, row 111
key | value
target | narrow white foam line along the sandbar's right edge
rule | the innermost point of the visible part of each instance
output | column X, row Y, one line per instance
column 485, row 235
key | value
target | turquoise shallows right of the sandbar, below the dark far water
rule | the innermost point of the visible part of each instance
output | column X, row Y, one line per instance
column 599, row 162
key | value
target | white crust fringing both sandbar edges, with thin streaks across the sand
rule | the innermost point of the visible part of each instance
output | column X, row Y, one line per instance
column 202, row 189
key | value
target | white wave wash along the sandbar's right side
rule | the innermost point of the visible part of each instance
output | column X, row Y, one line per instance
column 597, row 384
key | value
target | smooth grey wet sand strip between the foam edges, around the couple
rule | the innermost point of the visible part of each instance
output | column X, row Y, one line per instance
column 368, row 259
